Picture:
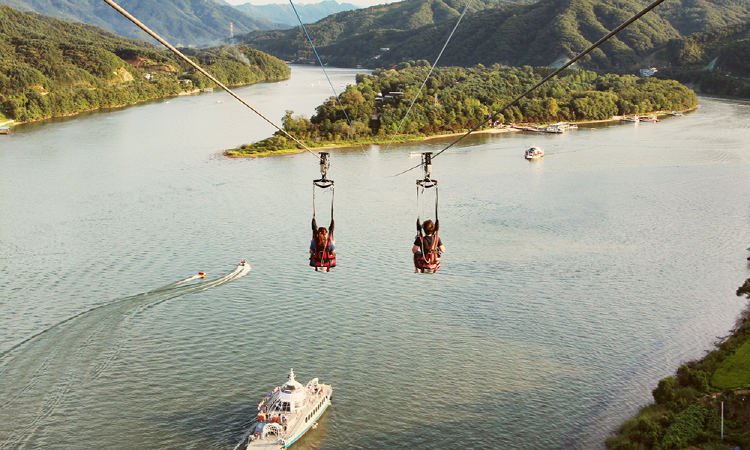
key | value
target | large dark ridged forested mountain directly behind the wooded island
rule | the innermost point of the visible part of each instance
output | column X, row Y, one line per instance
column 517, row 35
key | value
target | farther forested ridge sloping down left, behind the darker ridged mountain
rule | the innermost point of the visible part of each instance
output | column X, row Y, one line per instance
column 381, row 19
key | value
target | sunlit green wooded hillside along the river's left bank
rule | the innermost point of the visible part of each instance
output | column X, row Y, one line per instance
column 49, row 67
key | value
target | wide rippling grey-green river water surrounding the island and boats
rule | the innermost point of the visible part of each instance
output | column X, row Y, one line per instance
column 570, row 285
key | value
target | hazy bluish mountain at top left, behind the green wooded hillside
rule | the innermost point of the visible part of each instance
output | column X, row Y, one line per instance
column 181, row 22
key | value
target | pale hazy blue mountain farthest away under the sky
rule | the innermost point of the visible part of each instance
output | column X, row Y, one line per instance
column 283, row 13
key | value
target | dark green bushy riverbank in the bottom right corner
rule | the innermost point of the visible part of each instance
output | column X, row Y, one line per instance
column 687, row 412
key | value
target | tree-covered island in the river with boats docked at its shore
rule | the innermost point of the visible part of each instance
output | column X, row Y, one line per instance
column 456, row 99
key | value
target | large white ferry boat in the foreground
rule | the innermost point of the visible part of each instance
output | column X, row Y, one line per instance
column 288, row 412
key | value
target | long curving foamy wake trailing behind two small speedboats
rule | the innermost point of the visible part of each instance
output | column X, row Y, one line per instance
column 41, row 372
